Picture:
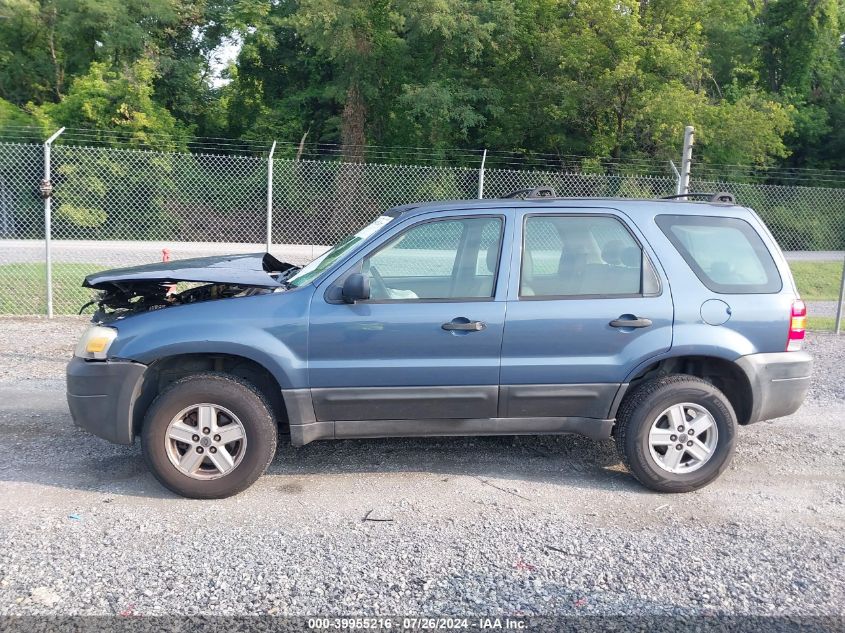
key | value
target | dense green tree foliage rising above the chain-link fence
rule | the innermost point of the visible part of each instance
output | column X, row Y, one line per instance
column 763, row 82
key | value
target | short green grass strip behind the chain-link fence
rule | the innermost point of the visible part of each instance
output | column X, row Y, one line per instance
column 22, row 287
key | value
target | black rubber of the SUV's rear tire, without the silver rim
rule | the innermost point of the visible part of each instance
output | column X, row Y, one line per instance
column 642, row 406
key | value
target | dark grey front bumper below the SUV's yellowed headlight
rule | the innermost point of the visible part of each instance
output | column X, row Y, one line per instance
column 102, row 394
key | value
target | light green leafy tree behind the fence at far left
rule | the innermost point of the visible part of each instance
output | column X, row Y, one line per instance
column 109, row 192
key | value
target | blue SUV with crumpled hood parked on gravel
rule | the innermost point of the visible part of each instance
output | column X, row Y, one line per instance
column 662, row 324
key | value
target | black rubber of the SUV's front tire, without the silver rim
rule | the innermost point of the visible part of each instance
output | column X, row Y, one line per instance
column 239, row 397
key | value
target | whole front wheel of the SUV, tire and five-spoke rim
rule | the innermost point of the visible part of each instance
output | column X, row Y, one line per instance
column 237, row 411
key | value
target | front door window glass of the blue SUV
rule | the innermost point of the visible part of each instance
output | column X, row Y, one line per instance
column 444, row 259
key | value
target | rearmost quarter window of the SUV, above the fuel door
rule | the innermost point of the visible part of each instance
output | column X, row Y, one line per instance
column 726, row 254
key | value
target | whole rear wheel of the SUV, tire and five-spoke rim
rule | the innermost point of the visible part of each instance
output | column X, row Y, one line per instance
column 650, row 416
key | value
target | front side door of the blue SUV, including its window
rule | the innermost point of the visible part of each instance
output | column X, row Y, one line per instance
column 426, row 345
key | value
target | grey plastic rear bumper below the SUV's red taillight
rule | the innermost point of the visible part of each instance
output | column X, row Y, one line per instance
column 779, row 382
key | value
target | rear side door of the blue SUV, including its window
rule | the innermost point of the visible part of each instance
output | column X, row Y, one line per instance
column 586, row 304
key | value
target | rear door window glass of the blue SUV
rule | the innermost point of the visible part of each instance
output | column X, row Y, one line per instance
column 576, row 256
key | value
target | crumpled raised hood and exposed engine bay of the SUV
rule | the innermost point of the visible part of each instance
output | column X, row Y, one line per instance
column 126, row 291
